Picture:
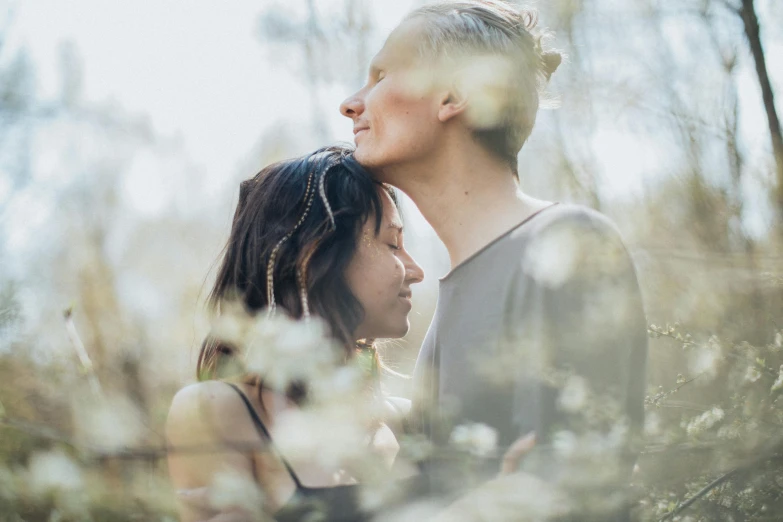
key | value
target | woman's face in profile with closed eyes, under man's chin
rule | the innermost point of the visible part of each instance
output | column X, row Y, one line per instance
column 380, row 275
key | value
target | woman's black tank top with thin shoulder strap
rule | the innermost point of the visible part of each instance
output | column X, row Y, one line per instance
column 328, row 504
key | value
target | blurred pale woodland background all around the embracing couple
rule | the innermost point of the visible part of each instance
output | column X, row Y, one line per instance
column 123, row 138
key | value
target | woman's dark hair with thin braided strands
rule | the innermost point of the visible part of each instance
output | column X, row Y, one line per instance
column 270, row 205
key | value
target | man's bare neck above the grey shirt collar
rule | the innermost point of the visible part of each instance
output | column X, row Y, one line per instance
column 468, row 197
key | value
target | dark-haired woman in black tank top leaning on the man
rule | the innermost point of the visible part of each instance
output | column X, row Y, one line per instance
column 313, row 236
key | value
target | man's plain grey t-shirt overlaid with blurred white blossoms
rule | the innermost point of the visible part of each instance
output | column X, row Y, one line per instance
column 542, row 330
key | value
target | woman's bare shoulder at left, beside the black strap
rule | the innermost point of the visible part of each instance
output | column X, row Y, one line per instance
column 206, row 411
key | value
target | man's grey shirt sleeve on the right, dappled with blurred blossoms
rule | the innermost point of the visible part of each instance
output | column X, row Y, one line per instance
column 577, row 329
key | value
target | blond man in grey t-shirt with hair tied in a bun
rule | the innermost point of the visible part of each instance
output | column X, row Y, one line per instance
column 539, row 326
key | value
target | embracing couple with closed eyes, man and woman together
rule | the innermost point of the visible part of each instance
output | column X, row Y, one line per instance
column 538, row 338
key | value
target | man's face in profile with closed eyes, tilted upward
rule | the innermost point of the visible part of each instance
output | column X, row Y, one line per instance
column 395, row 115
